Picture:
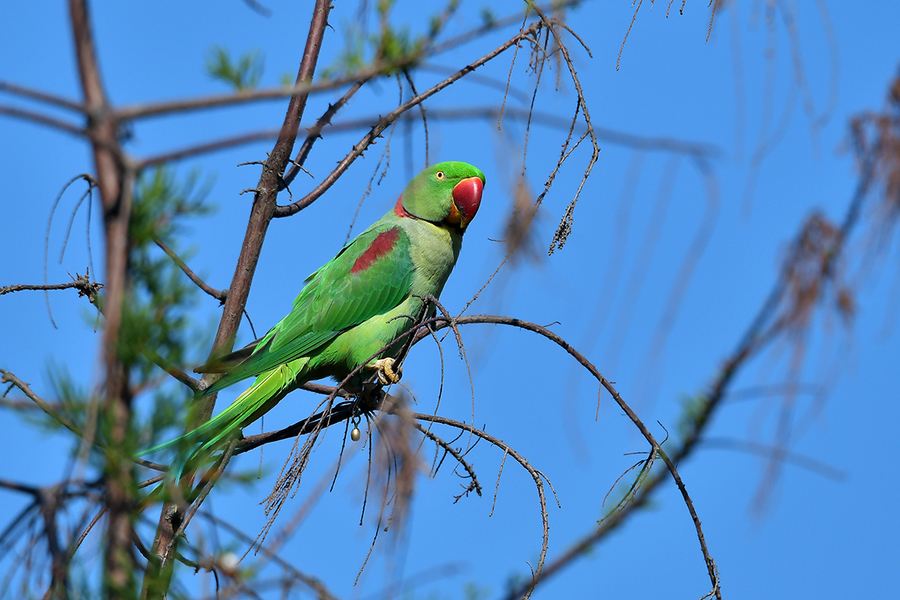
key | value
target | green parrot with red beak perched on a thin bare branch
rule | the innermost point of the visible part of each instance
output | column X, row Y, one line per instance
column 357, row 303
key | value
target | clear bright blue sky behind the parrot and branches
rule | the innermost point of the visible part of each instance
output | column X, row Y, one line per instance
column 815, row 537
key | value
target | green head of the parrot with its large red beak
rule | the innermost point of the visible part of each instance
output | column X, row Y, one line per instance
column 446, row 193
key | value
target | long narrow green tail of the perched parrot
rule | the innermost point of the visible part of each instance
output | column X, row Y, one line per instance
column 200, row 444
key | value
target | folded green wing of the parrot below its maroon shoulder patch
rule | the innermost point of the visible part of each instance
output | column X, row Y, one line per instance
column 333, row 300
